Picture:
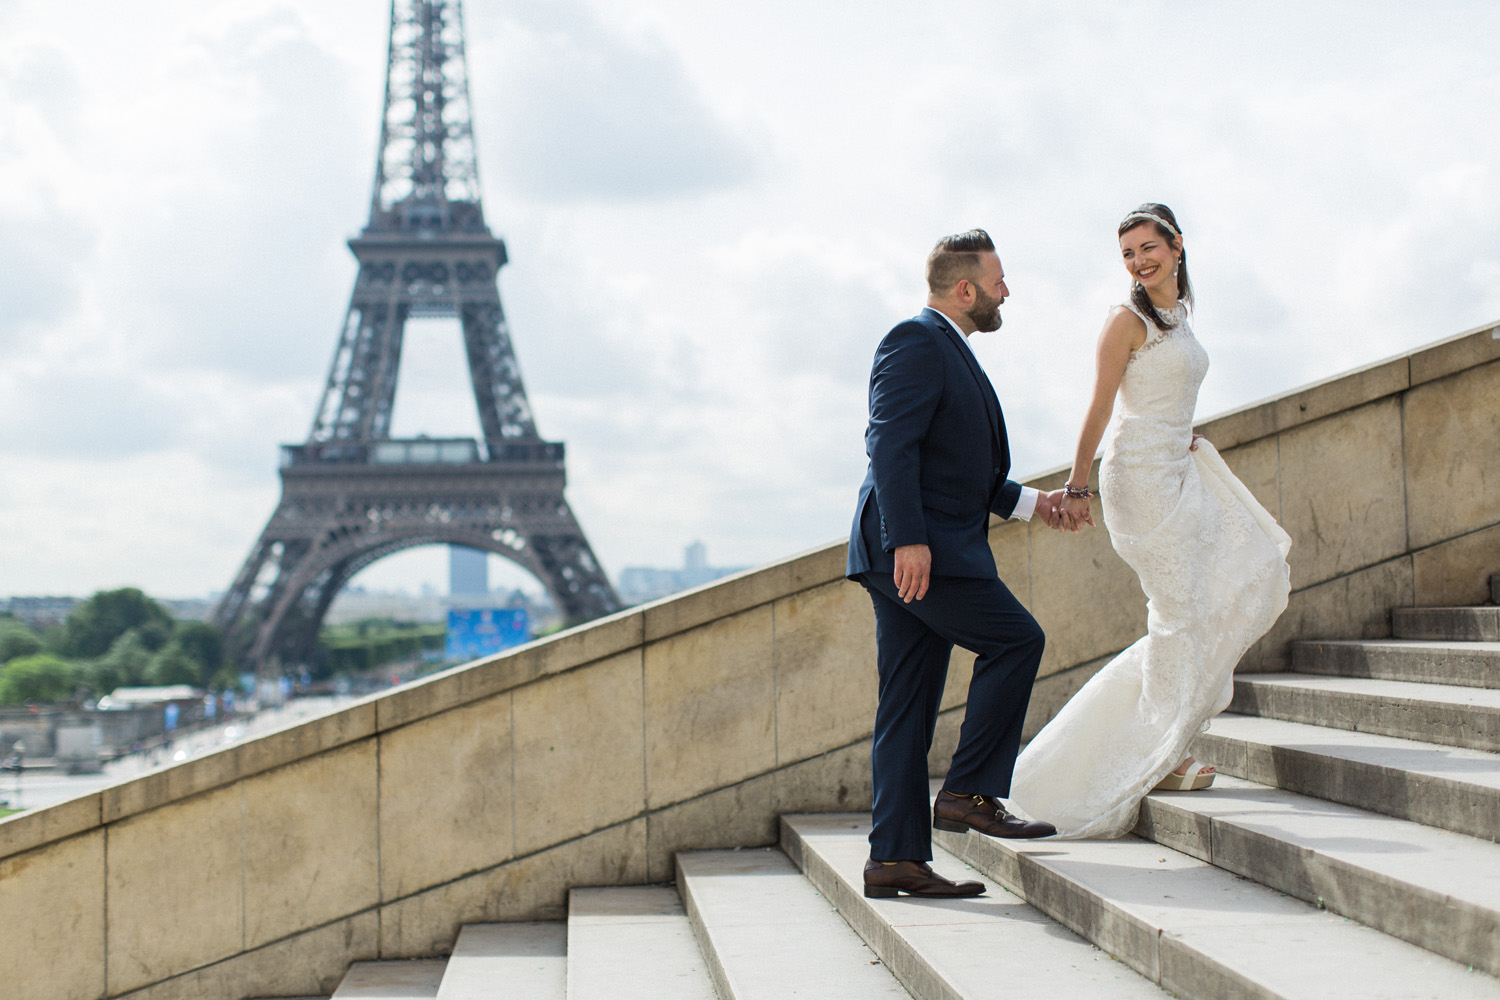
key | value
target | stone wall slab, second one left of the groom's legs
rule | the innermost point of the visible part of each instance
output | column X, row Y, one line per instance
column 710, row 707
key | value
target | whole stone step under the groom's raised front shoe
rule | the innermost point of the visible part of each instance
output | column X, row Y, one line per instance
column 1204, row 932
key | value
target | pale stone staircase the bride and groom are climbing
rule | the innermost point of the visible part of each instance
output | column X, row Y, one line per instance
column 1346, row 851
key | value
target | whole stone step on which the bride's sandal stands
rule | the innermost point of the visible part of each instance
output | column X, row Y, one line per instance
column 1433, row 888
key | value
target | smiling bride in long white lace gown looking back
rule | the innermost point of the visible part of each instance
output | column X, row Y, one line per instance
column 1210, row 558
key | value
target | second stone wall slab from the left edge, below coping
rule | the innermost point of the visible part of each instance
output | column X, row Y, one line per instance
column 176, row 890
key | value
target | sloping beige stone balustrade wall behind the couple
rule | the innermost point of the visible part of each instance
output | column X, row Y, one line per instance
column 485, row 792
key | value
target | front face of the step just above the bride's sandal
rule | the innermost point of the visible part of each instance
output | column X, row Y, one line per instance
column 1451, row 804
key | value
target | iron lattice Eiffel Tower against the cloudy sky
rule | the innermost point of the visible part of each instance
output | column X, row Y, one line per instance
column 353, row 494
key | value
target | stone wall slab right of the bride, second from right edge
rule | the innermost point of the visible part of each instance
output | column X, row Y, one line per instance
column 1343, row 499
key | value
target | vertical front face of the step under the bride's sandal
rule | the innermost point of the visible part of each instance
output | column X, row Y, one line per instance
column 1456, row 929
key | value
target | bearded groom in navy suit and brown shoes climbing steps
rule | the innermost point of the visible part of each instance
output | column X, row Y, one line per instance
column 920, row 546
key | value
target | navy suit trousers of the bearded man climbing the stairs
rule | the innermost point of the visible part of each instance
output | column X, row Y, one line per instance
column 914, row 642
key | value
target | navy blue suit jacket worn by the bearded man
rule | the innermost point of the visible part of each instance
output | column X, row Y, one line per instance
column 938, row 455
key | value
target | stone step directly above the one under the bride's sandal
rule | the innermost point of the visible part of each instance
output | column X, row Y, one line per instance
column 1441, row 786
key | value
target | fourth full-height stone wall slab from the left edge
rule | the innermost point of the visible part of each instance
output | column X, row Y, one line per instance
column 445, row 797
